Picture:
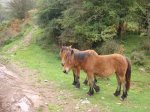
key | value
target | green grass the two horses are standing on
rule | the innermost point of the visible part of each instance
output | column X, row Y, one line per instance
column 47, row 63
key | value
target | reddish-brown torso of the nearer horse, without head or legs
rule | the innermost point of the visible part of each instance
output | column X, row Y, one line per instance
column 106, row 64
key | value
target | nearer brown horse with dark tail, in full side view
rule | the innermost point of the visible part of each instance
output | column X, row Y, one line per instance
column 103, row 66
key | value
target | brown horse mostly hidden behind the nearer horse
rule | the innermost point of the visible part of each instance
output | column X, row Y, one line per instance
column 76, row 69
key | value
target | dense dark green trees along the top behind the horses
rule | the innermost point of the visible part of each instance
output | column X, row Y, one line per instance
column 89, row 23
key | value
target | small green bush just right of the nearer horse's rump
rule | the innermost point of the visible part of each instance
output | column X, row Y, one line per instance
column 138, row 58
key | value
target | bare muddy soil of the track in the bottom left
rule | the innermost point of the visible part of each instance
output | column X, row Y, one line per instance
column 21, row 91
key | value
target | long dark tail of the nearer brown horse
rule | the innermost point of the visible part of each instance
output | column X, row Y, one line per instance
column 128, row 75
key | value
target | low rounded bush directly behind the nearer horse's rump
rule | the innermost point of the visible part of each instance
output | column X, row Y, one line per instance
column 110, row 47
